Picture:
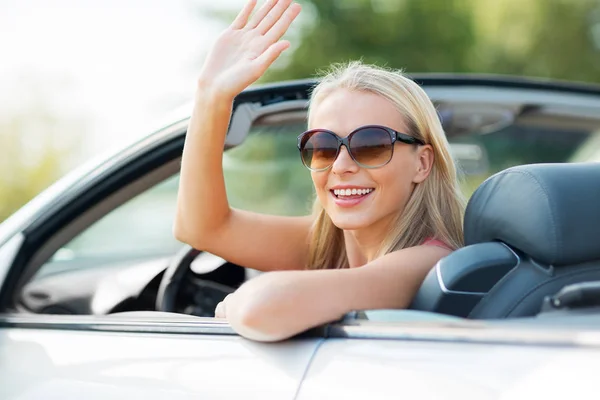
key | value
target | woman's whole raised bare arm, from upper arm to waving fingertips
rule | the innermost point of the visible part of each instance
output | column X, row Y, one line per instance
column 204, row 218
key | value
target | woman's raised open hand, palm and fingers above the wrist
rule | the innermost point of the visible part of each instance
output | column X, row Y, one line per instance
column 245, row 50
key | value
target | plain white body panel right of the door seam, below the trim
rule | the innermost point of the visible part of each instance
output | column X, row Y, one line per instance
column 393, row 369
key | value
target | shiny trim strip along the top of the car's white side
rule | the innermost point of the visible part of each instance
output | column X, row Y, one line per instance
column 466, row 331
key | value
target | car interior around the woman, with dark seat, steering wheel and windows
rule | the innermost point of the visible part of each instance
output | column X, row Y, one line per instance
column 530, row 225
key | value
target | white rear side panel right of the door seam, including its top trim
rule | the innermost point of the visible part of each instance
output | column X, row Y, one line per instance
column 396, row 354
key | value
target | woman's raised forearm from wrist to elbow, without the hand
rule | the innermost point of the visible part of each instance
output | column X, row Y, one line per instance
column 202, row 204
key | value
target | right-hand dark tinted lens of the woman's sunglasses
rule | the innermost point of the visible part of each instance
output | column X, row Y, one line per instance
column 371, row 147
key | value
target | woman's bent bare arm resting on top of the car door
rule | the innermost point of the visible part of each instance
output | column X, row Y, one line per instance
column 277, row 305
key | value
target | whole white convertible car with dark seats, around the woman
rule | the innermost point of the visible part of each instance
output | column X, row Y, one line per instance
column 97, row 298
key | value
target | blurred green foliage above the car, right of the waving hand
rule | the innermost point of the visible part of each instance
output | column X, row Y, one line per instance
column 558, row 39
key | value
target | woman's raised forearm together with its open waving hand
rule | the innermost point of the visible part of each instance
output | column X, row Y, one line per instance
column 240, row 55
